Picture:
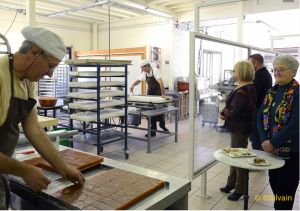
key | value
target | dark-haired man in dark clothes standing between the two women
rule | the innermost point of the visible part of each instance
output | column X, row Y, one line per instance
column 262, row 82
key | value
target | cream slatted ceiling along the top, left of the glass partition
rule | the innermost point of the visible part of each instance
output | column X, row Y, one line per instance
column 88, row 11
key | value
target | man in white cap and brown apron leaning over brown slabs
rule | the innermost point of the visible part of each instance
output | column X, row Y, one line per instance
column 38, row 55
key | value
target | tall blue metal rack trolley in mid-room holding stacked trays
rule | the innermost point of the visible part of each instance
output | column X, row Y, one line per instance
column 101, row 125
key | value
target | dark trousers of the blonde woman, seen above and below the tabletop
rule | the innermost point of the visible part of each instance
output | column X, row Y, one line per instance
column 237, row 176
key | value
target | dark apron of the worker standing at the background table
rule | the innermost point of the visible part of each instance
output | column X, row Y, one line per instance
column 154, row 89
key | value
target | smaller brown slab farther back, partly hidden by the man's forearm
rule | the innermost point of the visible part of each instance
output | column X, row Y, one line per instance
column 79, row 160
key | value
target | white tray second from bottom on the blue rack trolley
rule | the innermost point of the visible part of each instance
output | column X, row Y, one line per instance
column 92, row 106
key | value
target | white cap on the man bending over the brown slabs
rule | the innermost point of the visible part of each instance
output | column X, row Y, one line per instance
column 50, row 42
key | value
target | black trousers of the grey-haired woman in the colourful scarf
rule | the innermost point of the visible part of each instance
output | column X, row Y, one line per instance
column 284, row 182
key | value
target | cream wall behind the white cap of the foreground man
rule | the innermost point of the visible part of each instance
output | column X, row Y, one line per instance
column 74, row 34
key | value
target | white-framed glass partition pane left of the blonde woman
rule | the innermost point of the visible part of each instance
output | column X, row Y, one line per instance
column 211, row 65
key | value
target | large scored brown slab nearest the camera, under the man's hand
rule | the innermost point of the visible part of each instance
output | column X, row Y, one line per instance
column 114, row 189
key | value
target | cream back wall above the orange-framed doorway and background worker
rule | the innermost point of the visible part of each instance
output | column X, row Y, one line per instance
column 156, row 32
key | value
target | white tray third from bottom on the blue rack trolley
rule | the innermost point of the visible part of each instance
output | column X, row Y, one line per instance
column 93, row 94
